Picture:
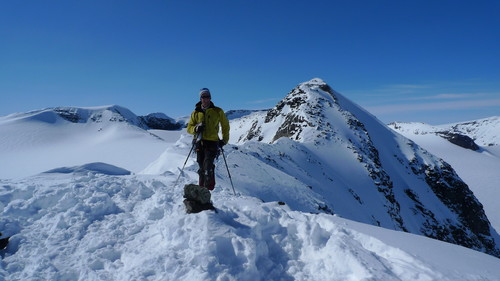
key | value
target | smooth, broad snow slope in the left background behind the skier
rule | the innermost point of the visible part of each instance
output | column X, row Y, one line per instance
column 37, row 141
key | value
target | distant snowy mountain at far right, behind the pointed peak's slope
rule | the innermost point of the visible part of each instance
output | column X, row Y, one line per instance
column 474, row 152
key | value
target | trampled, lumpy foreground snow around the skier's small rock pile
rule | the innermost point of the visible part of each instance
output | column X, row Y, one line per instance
column 101, row 227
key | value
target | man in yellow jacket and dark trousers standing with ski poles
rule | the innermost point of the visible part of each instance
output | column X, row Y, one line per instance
column 204, row 123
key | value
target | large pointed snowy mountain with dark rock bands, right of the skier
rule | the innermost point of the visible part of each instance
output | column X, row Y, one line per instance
column 360, row 169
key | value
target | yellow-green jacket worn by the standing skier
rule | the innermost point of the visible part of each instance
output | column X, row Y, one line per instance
column 211, row 117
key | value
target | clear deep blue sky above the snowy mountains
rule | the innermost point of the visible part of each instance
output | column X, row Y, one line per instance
column 429, row 61
